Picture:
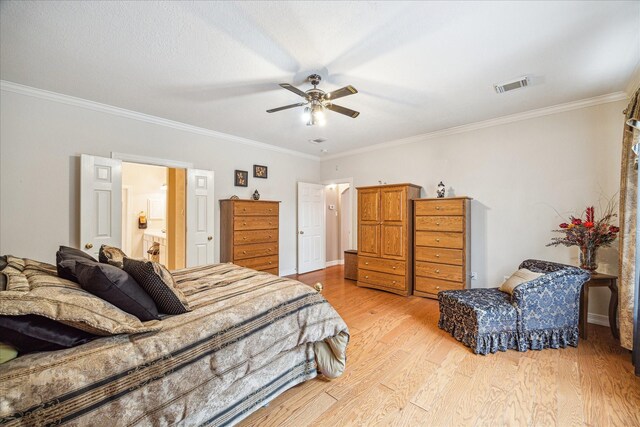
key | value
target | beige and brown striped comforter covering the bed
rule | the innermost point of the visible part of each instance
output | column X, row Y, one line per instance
column 250, row 336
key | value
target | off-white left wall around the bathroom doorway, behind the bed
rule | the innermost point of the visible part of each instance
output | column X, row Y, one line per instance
column 40, row 141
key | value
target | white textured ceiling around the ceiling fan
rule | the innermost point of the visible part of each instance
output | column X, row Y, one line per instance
column 419, row 66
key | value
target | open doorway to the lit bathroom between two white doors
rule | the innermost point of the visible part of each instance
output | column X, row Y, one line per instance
column 153, row 213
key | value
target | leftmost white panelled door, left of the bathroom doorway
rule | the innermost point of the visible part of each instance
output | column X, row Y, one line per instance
column 100, row 203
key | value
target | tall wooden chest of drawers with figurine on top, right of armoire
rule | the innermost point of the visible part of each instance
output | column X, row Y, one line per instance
column 442, row 231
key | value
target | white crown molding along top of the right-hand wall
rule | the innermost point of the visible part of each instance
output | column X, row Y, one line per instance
column 554, row 109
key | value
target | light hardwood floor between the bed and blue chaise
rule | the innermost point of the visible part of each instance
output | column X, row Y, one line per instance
column 404, row 371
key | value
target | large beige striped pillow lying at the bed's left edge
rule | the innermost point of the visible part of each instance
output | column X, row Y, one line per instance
column 34, row 288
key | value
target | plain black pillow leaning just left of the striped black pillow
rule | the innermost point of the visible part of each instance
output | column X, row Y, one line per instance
column 117, row 287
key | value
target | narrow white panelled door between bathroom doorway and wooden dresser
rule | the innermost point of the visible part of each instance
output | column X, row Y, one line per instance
column 200, row 217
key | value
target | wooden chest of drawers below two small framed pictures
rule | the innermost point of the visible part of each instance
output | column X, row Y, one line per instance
column 249, row 233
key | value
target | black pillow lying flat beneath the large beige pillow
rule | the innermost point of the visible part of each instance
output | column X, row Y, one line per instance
column 31, row 333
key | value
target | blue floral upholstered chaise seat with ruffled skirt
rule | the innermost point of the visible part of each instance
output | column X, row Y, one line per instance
column 542, row 313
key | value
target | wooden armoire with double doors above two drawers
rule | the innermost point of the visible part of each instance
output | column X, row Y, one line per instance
column 385, row 237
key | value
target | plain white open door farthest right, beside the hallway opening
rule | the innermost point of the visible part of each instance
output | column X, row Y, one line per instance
column 311, row 227
